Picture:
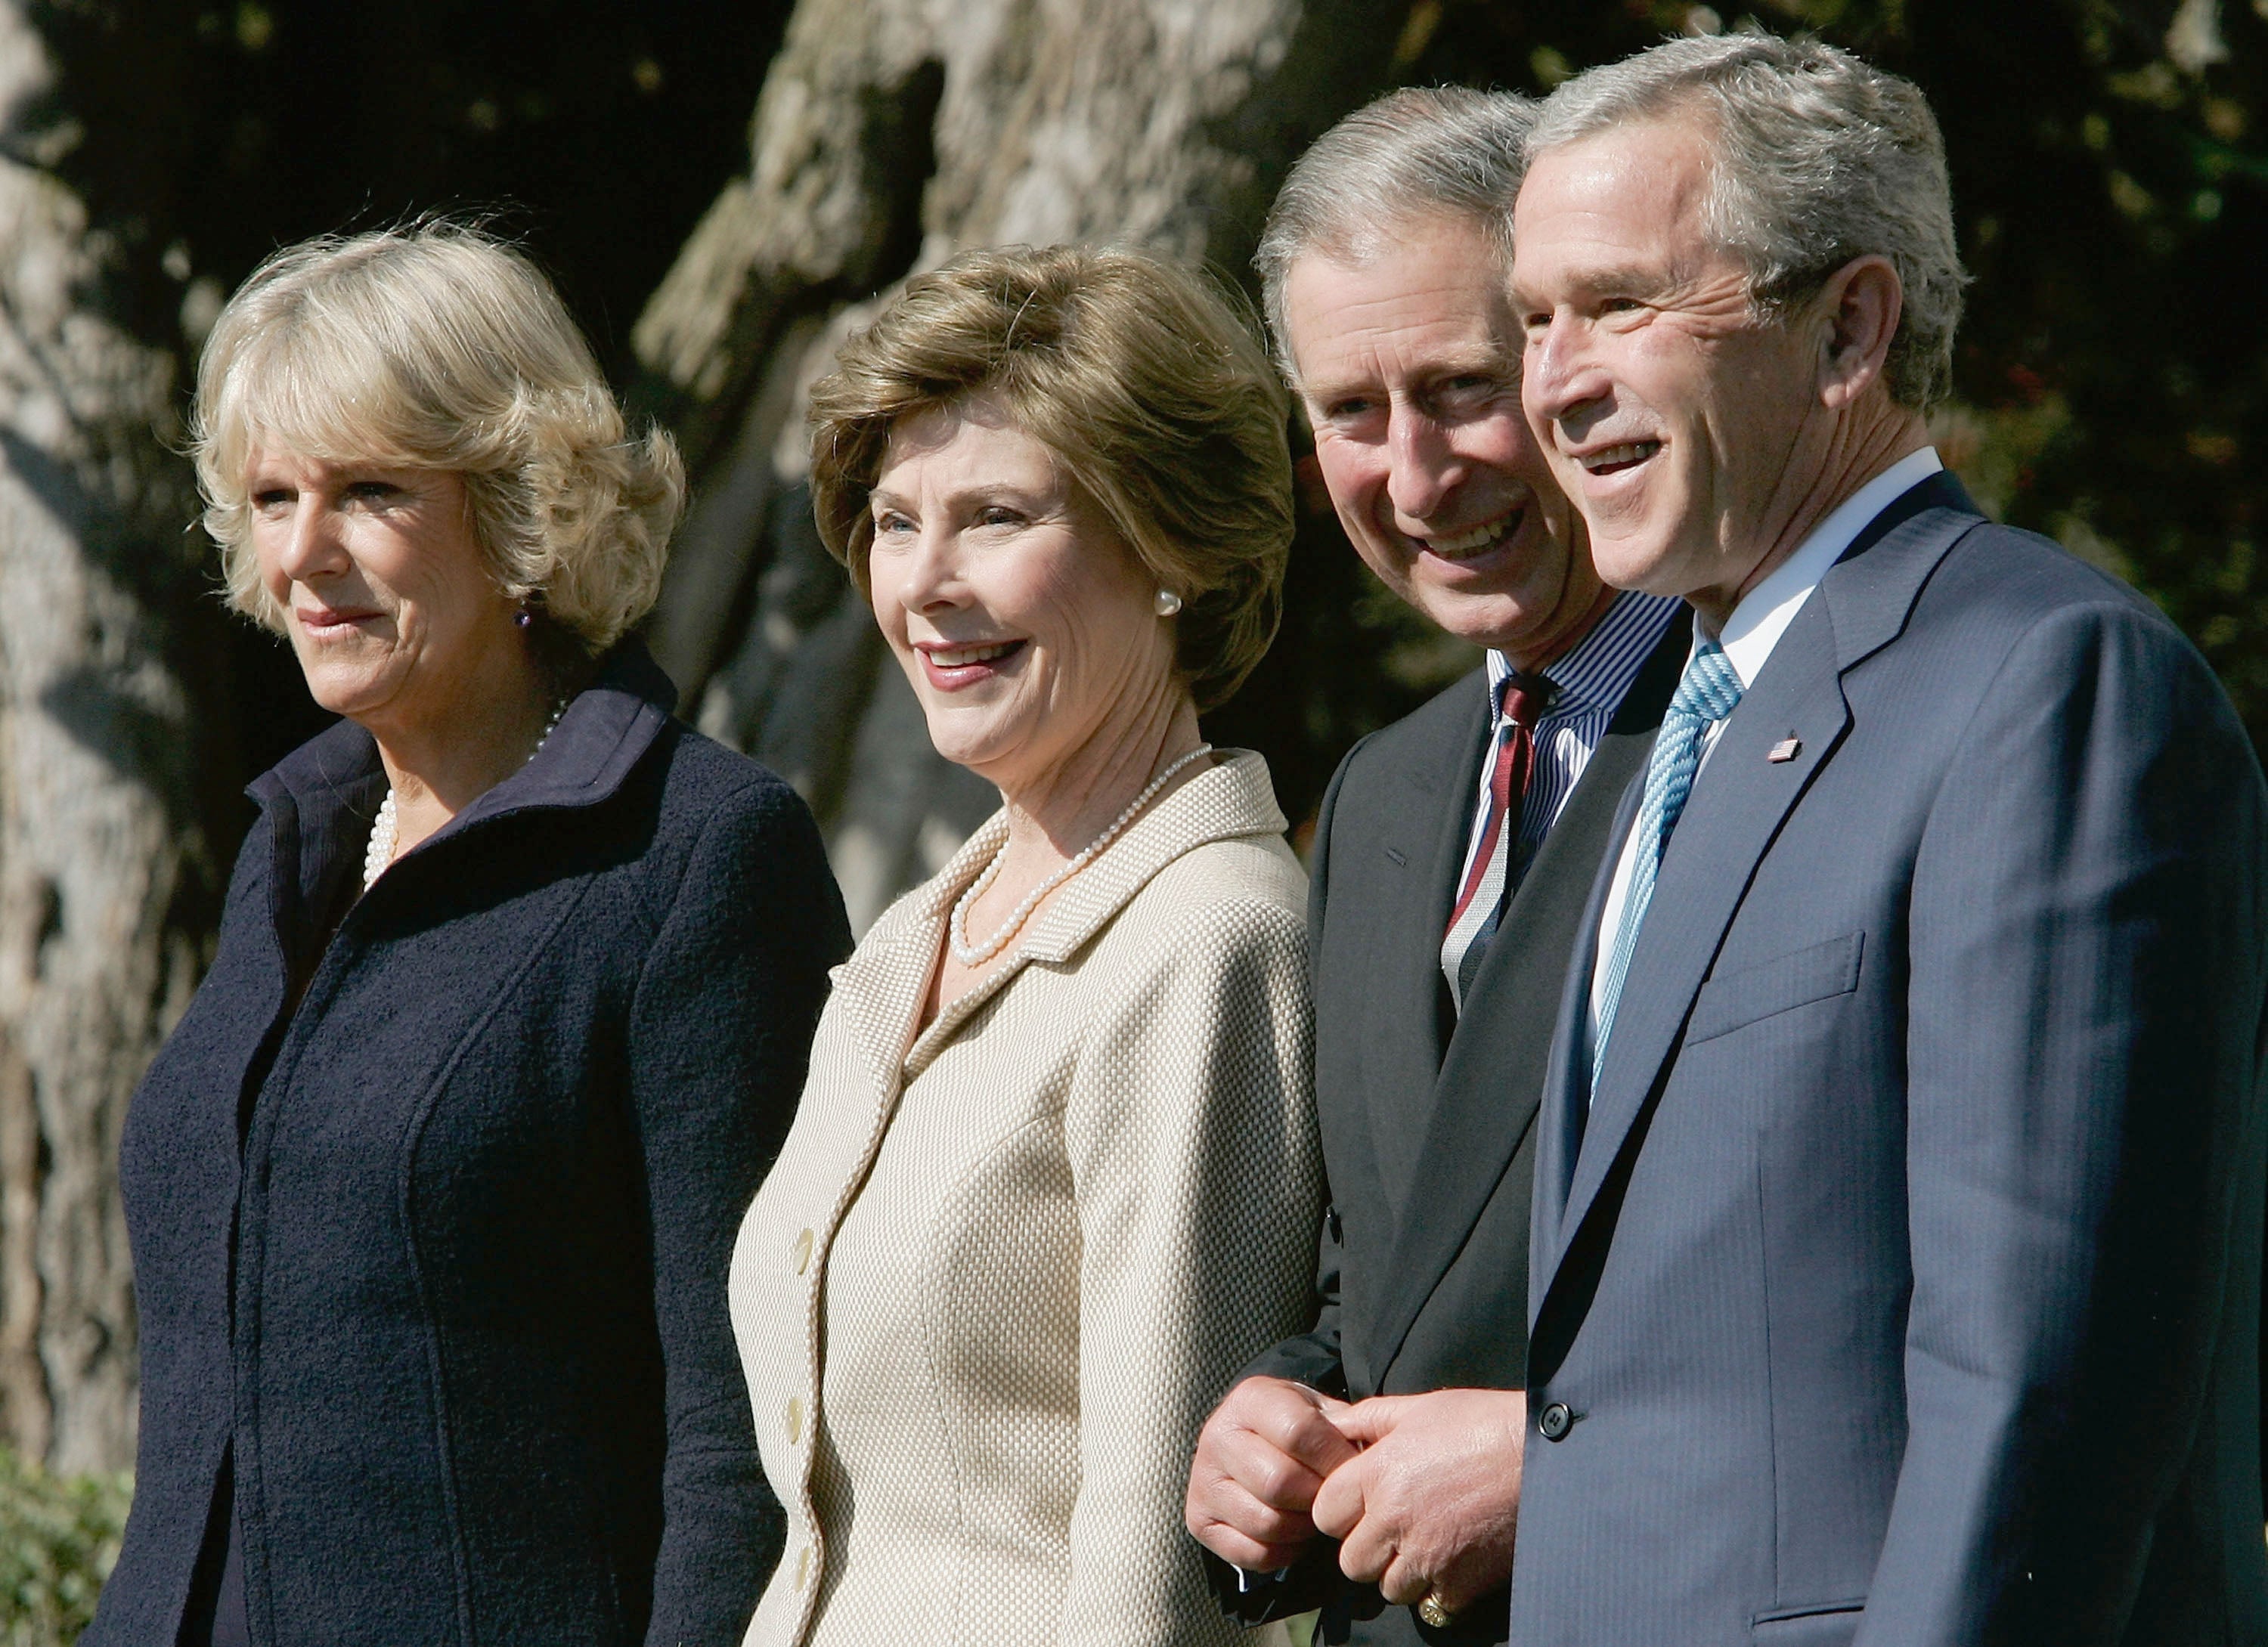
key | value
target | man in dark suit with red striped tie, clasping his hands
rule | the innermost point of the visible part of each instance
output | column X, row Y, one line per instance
column 1450, row 870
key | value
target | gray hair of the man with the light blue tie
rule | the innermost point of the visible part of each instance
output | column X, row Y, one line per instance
column 1818, row 160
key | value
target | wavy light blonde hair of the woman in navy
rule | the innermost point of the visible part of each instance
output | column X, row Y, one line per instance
column 437, row 346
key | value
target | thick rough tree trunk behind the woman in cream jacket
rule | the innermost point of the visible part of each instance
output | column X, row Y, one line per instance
column 892, row 135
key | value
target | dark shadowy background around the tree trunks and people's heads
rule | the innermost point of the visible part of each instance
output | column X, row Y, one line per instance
column 2108, row 162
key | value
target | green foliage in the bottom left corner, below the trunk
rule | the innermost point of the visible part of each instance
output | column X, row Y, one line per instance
column 58, row 1544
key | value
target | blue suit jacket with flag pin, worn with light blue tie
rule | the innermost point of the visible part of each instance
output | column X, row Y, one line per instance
column 1902, row 1278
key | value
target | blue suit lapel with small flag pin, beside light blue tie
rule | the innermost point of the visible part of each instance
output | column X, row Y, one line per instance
column 1736, row 813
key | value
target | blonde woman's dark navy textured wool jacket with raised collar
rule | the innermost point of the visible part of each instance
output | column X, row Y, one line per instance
column 432, row 1222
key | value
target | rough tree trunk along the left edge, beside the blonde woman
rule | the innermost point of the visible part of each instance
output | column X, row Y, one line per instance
column 99, row 838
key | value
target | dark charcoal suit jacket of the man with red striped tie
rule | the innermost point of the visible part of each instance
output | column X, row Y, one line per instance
column 1428, row 1120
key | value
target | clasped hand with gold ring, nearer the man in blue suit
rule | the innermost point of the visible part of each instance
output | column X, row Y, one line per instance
column 1432, row 1503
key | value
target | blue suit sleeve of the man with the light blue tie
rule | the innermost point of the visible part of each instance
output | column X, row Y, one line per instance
column 2083, row 1138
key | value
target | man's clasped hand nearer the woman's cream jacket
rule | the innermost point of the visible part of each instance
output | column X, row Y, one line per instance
column 1260, row 1462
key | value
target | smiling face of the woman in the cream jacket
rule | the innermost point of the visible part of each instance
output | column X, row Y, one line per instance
column 1013, row 607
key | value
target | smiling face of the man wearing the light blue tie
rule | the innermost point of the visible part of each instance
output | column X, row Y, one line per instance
column 1686, row 430
